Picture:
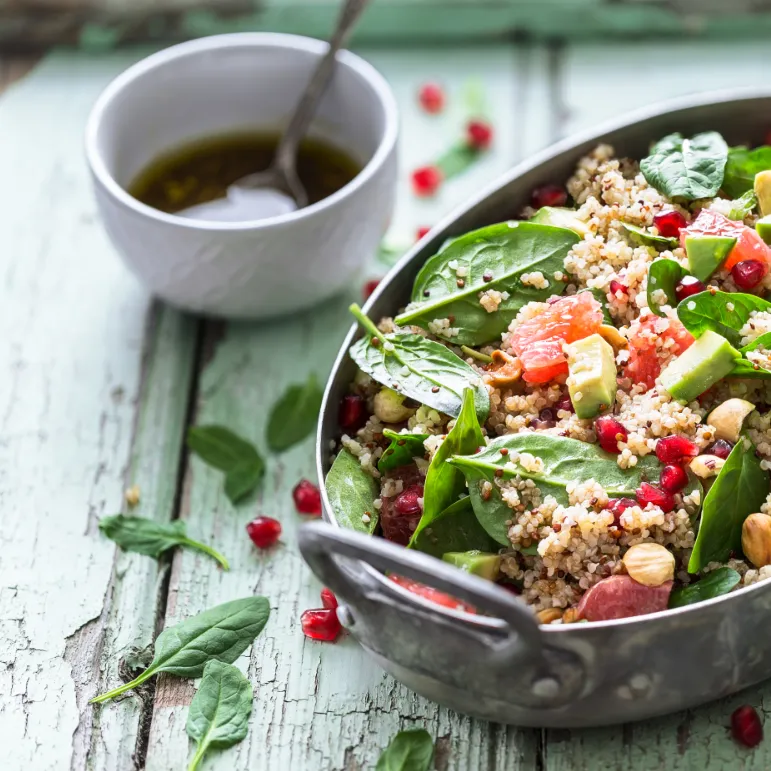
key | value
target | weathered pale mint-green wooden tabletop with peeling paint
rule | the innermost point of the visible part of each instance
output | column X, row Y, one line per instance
column 100, row 382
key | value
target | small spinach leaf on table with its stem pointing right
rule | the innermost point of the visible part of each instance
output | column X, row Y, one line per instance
column 144, row 536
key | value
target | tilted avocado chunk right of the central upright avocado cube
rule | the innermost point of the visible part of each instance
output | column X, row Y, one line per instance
column 708, row 360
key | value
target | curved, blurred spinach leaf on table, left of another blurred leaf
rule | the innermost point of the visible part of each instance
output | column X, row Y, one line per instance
column 222, row 449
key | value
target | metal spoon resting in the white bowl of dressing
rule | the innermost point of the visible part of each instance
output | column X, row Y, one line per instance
column 278, row 189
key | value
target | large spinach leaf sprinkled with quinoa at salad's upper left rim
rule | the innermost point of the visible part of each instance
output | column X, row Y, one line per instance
column 494, row 257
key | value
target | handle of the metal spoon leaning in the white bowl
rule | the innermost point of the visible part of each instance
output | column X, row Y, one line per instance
column 306, row 107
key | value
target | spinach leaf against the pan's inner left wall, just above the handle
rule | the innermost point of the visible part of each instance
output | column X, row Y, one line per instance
column 352, row 492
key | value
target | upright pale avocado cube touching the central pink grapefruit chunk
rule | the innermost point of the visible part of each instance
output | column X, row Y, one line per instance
column 592, row 378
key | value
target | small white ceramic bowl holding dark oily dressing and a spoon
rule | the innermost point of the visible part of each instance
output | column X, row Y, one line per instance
column 230, row 83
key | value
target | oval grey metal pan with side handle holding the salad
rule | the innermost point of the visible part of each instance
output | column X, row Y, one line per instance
column 504, row 666
